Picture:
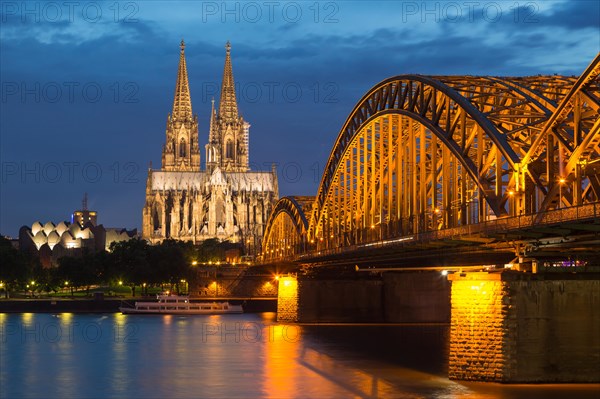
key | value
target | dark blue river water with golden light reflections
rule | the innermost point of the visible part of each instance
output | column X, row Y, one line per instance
column 233, row 356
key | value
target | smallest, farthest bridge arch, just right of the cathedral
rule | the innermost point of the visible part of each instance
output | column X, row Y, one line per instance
column 287, row 226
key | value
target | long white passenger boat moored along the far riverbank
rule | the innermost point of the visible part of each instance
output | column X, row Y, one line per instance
column 175, row 304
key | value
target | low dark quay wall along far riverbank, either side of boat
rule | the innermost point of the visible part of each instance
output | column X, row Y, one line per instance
column 68, row 305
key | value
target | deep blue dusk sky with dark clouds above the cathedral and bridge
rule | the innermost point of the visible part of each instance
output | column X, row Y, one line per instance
column 86, row 86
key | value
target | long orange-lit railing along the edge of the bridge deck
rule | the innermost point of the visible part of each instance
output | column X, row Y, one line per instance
column 513, row 223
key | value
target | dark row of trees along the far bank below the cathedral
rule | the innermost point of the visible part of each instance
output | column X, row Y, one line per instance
column 131, row 263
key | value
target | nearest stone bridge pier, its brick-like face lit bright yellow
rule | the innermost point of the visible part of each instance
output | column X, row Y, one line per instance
column 519, row 327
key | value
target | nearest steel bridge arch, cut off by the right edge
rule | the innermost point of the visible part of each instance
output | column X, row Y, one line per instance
column 569, row 145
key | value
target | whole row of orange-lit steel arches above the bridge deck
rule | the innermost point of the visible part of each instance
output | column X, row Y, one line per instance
column 426, row 153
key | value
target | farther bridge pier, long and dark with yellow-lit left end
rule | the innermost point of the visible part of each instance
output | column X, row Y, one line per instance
column 395, row 297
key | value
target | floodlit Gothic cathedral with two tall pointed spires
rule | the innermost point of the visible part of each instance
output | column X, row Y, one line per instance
column 225, row 200
